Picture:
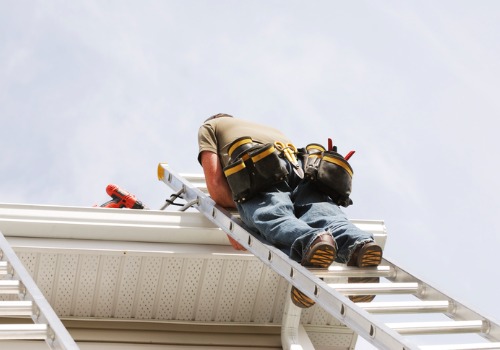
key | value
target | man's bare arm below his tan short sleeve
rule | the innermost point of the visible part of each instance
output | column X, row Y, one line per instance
column 217, row 186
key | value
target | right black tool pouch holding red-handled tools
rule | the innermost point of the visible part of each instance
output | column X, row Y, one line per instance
column 329, row 172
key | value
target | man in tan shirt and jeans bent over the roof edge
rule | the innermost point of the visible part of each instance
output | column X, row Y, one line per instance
column 274, row 200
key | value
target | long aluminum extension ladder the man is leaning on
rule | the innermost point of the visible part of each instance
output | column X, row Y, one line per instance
column 451, row 320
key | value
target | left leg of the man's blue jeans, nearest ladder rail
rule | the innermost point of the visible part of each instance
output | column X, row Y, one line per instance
column 271, row 214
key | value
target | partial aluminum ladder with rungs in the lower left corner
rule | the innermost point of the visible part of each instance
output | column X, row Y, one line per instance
column 16, row 283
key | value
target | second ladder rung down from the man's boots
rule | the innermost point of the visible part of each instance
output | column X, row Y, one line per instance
column 375, row 288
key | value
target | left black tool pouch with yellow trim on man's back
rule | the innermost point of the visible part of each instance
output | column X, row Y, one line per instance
column 252, row 168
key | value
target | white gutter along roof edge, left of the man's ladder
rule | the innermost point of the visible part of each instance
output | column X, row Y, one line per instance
column 44, row 221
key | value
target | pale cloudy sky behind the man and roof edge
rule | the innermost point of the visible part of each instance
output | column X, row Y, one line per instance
column 99, row 92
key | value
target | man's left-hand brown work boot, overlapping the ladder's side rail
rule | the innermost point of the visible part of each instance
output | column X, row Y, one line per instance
column 321, row 253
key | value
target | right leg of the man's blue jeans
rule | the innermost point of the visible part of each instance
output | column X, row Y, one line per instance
column 317, row 210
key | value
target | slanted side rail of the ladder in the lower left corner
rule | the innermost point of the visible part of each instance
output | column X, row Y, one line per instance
column 58, row 336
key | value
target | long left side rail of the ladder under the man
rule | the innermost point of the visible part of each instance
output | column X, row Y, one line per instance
column 329, row 299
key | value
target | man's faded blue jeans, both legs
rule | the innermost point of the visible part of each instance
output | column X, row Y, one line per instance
column 292, row 213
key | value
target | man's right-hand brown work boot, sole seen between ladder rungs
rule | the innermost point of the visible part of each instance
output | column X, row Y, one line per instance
column 368, row 254
